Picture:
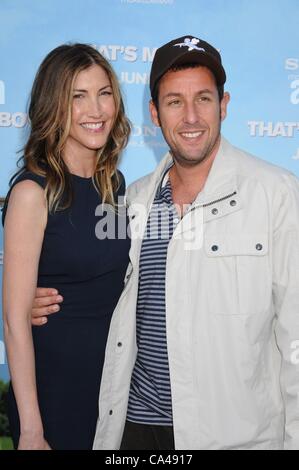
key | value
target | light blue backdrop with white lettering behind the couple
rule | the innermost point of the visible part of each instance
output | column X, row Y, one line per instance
column 258, row 40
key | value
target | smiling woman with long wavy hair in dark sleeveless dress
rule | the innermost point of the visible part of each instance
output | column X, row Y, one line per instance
column 78, row 129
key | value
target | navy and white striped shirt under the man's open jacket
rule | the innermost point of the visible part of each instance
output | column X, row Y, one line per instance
column 150, row 391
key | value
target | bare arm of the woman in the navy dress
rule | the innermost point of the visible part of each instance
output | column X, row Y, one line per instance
column 24, row 227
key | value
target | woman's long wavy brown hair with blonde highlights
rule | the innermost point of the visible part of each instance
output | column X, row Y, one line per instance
column 50, row 115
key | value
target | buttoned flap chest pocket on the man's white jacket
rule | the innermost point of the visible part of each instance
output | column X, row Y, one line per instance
column 240, row 266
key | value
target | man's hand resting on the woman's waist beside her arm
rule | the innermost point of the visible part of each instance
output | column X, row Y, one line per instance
column 45, row 303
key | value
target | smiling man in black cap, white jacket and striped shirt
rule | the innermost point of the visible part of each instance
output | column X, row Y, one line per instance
column 203, row 344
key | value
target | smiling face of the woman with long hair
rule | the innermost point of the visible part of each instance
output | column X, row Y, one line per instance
column 93, row 111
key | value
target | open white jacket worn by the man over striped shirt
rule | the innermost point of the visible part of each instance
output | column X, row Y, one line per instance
column 232, row 312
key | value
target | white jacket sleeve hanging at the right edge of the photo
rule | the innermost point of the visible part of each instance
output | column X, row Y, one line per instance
column 286, row 302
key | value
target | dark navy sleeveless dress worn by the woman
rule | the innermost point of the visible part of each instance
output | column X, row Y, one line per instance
column 69, row 350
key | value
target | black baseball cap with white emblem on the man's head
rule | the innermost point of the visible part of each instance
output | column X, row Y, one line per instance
column 187, row 49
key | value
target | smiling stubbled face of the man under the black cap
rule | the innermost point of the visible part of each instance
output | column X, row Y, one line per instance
column 190, row 114
